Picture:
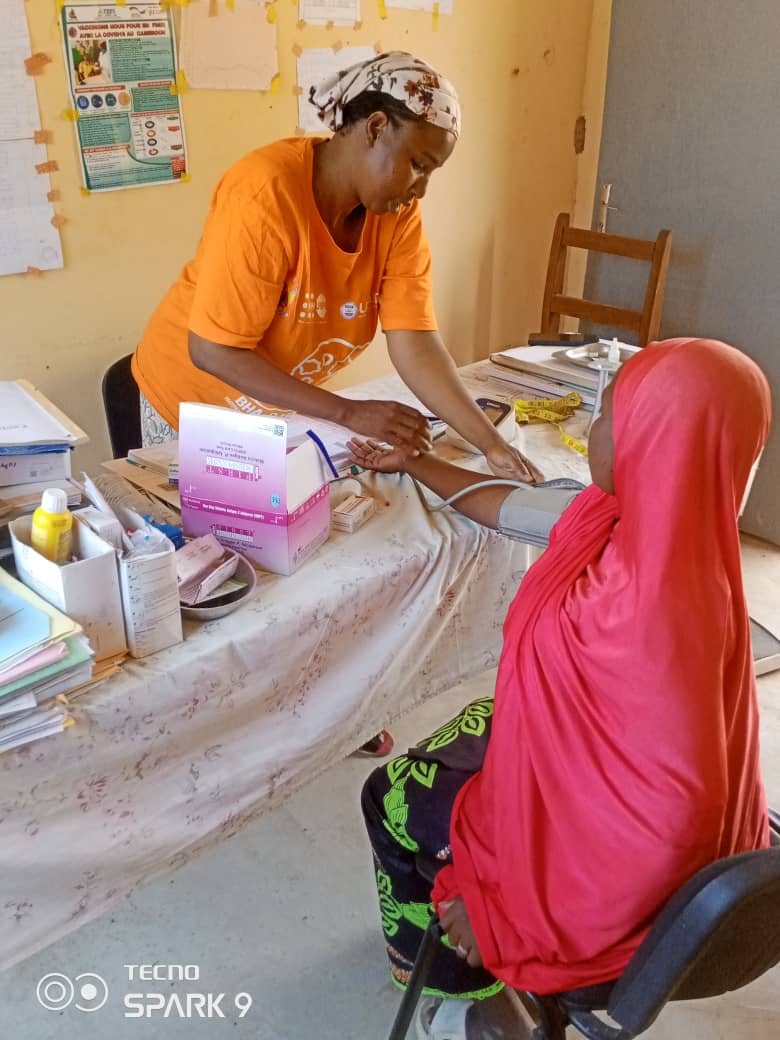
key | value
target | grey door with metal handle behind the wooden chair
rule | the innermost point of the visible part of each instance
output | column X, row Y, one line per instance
column 692, row 142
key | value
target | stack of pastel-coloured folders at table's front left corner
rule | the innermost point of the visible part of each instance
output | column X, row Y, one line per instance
column 43, row 656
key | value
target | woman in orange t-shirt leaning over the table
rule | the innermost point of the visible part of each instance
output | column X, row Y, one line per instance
column 308, row 245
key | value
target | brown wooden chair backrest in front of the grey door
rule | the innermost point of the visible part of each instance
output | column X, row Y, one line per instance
column 646, row 322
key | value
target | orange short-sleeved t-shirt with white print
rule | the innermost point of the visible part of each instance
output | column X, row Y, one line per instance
column 268, row 277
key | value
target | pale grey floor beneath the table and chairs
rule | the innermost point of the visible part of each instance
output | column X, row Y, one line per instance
column 287, row 912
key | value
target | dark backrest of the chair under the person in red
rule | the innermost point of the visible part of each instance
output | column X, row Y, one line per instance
column 717, row 933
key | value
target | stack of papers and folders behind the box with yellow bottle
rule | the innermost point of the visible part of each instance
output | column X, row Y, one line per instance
column 36, row 444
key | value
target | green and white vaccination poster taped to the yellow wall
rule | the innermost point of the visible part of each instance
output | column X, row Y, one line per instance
column 121, row 62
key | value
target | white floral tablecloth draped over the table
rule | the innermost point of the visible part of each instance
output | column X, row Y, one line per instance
column 187, row 748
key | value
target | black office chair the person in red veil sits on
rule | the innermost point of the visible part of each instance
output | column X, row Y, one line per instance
column 717, row 933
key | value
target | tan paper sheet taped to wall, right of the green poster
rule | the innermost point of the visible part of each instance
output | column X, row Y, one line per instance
column 235, row 51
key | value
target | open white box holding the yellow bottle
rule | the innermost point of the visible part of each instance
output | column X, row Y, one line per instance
column 87, row 590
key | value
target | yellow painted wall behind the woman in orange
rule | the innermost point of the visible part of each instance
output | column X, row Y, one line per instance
column 522, row 69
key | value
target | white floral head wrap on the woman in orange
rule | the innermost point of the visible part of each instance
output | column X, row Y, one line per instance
column 413, row 83
